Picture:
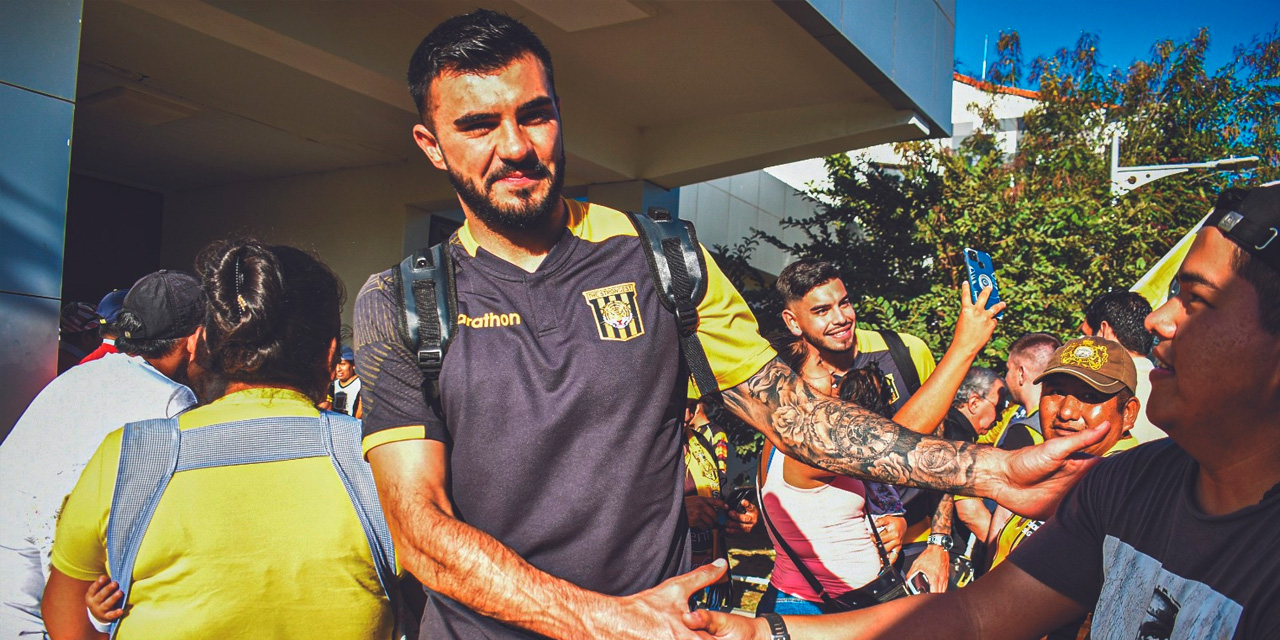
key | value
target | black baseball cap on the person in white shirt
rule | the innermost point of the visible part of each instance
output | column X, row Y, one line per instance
column 167, row 305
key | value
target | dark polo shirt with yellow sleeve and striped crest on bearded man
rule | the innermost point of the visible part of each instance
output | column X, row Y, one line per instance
column 564, row 391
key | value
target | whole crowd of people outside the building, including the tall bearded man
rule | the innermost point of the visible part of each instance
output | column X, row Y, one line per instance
column 276, row 483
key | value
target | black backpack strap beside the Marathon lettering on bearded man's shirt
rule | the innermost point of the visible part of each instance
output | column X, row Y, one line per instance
column 428, row 299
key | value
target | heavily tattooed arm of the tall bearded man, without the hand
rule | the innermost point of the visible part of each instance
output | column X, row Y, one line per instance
column 848, row 440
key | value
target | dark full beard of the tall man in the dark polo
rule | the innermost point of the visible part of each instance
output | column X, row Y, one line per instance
column 531, row 213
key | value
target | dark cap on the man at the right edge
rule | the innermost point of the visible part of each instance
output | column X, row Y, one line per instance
column 1251, row 218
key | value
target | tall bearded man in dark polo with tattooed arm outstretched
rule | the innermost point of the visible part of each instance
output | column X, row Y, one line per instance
column 548, row 501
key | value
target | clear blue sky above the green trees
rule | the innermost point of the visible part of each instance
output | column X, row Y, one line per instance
column 1127, row 29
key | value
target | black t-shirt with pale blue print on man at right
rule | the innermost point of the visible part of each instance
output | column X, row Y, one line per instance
column 1131, row 542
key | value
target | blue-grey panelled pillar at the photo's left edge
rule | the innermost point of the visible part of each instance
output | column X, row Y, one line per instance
column 39, row 58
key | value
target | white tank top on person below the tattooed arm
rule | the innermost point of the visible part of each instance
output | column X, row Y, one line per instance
column 826, row 527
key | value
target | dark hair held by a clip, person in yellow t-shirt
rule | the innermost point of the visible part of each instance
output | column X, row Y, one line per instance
column 275, row 313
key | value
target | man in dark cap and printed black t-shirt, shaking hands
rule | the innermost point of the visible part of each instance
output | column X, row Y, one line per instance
column 1169, row 540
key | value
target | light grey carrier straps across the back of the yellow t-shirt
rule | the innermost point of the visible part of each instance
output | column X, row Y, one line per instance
column 153, row 451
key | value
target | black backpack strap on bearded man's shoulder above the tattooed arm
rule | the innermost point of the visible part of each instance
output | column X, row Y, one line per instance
column 679, row 273
